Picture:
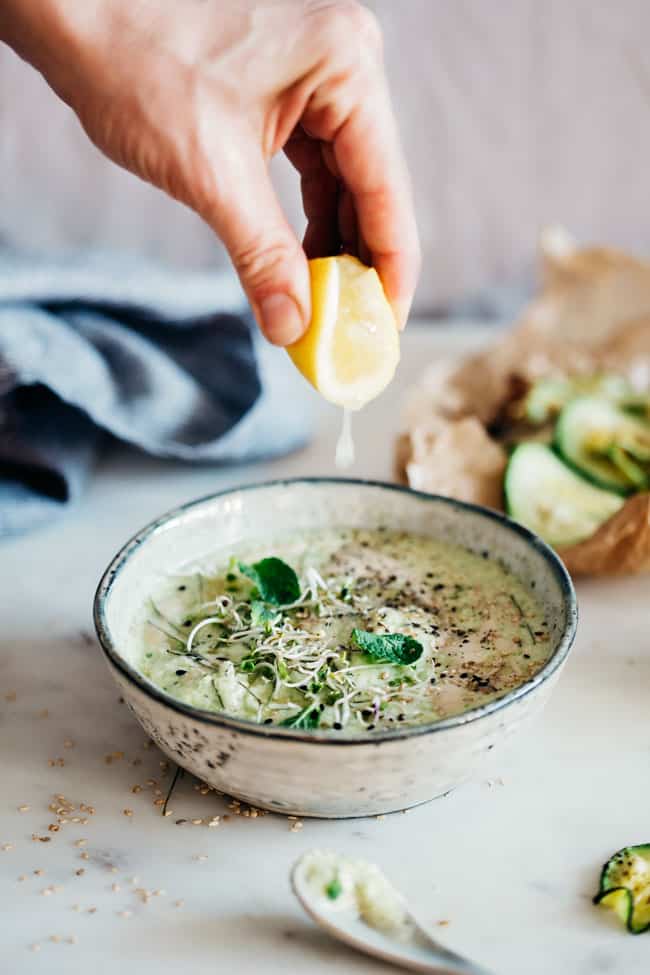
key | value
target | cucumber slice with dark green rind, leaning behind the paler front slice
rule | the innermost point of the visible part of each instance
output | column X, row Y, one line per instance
column 606, row 444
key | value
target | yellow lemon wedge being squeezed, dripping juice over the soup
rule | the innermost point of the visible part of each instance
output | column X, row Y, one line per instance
column 350, row 351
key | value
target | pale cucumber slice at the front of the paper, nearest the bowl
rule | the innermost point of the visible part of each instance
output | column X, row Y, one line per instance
column 552, row 500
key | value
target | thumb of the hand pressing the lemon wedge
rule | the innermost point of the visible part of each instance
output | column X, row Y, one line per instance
column 267, row 256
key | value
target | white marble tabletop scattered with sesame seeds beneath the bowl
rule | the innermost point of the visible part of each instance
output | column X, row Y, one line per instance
column 511, row 862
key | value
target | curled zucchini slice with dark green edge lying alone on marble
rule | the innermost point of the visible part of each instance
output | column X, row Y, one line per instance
column 625, row 887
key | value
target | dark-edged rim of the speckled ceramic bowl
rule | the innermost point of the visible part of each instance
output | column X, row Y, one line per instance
column 245, row 726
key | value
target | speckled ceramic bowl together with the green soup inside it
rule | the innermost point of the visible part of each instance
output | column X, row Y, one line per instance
column 333, row 647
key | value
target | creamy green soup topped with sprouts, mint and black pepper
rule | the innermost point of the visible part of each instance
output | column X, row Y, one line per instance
column 358, row 630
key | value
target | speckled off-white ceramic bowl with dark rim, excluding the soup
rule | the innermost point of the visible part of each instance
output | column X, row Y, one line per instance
column 327, row 773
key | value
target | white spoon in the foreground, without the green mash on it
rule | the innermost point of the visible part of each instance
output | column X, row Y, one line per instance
column 413, row 949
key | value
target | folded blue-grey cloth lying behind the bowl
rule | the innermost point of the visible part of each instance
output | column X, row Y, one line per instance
column 168, row 361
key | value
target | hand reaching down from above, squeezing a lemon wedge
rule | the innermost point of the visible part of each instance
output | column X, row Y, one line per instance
column 196, row 96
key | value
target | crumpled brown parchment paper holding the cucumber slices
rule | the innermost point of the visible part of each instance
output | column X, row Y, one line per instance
column 593, row 314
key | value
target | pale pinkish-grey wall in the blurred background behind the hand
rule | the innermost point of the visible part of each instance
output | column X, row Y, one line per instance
column 514, row 113
